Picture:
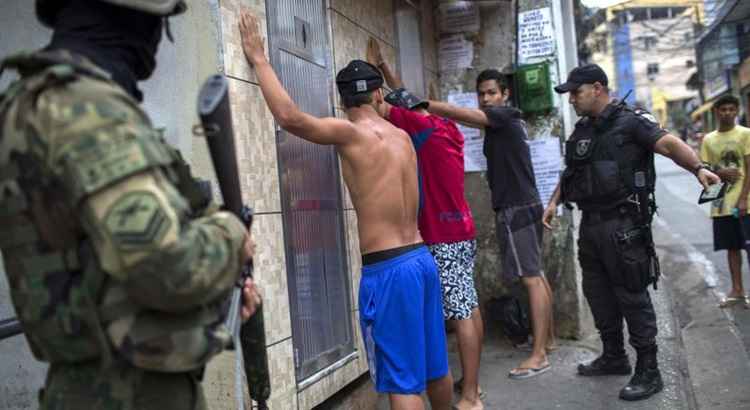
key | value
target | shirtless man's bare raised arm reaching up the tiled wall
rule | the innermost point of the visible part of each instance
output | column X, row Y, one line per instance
column 326, row 131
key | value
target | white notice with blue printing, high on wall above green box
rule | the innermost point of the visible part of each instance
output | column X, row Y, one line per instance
column 535, row 34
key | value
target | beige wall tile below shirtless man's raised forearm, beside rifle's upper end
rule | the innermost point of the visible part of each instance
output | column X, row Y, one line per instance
column 256, row 147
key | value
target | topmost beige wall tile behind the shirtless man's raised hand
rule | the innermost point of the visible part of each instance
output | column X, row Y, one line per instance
column 234, row 58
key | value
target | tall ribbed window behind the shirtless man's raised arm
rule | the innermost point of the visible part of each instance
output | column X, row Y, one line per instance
column 314, row 240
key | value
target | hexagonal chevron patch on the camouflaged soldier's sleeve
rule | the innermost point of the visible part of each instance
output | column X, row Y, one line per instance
column 137, row 221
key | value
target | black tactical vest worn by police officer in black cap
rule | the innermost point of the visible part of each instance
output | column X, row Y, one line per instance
column 605, row 167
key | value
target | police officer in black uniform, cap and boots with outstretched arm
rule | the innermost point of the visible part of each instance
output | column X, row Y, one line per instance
column 610, row 176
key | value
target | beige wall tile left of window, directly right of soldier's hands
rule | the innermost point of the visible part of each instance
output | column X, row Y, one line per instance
column 271, row 276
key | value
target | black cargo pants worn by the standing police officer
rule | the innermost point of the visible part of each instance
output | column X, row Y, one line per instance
column 611, row 270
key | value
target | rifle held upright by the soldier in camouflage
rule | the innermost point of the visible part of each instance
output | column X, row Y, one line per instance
column 216, row 121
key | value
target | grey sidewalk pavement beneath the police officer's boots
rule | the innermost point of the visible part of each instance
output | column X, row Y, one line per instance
column 561, row 388
